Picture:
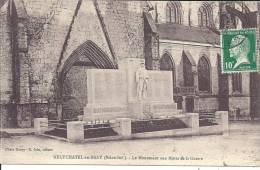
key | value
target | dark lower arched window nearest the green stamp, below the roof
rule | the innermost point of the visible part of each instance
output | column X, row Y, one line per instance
column 204, row 75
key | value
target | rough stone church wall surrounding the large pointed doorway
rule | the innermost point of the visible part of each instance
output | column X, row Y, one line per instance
column 55, row 28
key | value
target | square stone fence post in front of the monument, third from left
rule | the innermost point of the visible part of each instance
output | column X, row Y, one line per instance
column 124, row 127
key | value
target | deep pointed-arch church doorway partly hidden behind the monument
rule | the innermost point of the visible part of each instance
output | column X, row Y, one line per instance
column 72, row 80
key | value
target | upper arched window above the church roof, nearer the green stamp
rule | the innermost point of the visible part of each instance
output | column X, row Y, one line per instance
column 205, row 15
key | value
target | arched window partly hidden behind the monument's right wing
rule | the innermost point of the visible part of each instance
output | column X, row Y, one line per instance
column 167, row 64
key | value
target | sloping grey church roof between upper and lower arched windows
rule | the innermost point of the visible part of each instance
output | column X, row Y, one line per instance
column 178, row 32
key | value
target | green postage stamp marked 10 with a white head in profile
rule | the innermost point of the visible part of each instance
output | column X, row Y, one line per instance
column 239, row 51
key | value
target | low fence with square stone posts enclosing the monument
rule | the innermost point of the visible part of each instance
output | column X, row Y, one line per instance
column 126, row 128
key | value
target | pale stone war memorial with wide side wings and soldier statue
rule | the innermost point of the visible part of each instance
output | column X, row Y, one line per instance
column 115, row 93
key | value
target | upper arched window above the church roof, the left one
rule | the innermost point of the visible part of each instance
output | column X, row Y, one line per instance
column 174, row 12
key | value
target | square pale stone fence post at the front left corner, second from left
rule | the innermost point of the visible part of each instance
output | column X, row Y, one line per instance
column 75, row 131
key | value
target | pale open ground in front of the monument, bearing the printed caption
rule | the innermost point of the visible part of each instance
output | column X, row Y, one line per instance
column 241, row 147
